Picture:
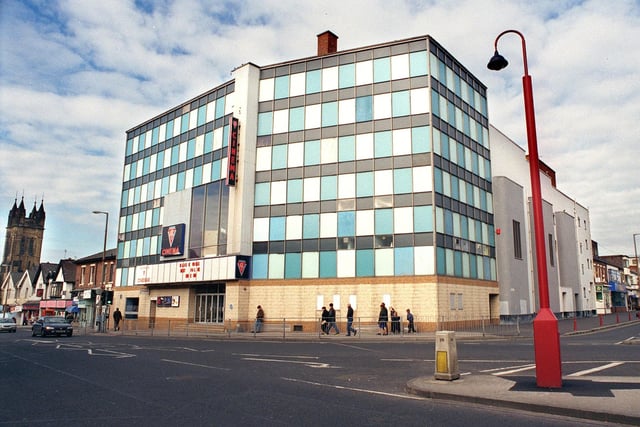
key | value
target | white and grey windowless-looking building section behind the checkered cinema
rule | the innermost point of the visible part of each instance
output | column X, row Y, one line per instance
column 567, row 242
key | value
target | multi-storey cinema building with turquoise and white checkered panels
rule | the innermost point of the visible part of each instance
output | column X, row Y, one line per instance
column 359, row 176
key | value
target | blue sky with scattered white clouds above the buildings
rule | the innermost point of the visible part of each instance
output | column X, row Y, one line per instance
column 76, row 75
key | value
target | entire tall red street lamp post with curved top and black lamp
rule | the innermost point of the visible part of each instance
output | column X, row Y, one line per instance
column 546, row 339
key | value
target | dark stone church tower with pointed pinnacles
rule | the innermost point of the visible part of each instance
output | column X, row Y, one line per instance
column 23, row 239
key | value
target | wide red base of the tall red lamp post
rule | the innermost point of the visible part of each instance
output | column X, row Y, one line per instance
column 546, row 342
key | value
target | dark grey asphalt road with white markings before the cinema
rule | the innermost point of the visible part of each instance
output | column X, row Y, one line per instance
column 112, row 380
